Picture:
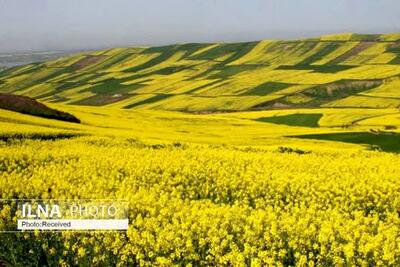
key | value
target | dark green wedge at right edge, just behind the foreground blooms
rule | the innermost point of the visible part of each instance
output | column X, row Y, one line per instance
column 389, row 142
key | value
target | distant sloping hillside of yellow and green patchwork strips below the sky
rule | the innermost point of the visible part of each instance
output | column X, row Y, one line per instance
column 347, row 70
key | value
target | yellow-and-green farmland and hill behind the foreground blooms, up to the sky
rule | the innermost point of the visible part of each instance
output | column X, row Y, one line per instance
column 303, row 93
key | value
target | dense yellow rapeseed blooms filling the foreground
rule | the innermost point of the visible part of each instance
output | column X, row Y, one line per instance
column 198, row 205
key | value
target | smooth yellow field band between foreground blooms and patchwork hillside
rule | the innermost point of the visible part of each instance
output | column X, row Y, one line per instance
column 255, row 128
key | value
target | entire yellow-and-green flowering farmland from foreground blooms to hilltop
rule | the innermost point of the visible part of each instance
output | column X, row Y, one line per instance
column 269, row 153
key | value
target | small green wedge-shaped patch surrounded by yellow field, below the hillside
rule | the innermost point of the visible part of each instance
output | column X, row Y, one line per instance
column 303, row 120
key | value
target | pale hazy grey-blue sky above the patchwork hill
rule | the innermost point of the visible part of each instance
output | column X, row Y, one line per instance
column 38, row 25
